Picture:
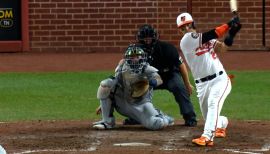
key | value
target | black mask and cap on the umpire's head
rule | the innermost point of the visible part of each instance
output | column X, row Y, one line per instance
column 147, row 31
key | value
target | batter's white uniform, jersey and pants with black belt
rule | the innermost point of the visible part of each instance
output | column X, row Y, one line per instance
column 212, row 82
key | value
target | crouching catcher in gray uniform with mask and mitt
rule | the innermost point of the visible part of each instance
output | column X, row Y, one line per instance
column 130, row 93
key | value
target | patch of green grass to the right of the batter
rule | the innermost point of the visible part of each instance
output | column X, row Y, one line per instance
column 250, row 96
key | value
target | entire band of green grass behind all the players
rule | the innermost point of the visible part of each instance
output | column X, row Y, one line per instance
column 60, row 96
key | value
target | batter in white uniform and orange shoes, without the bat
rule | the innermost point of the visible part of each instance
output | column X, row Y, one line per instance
column 212, row 82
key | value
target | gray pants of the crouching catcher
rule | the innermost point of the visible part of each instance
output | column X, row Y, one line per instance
column 142, row 111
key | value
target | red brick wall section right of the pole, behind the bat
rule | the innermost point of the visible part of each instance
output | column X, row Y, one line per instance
column 209, row 14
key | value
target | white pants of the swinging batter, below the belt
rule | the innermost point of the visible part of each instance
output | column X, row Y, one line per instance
column 212, row 95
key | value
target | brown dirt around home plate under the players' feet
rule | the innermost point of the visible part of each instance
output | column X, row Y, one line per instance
column 78, row 137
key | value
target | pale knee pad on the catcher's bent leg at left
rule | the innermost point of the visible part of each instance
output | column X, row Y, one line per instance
column 104, row 88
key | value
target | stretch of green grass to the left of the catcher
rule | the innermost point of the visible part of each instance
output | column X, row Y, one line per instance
column 25, row 96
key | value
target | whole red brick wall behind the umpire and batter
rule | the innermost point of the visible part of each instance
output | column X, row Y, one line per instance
column 110, row 25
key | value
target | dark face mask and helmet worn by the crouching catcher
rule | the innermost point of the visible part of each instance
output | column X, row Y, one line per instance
column 135, row 58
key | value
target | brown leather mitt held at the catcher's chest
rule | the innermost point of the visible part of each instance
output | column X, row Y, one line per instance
column 139, row 88
